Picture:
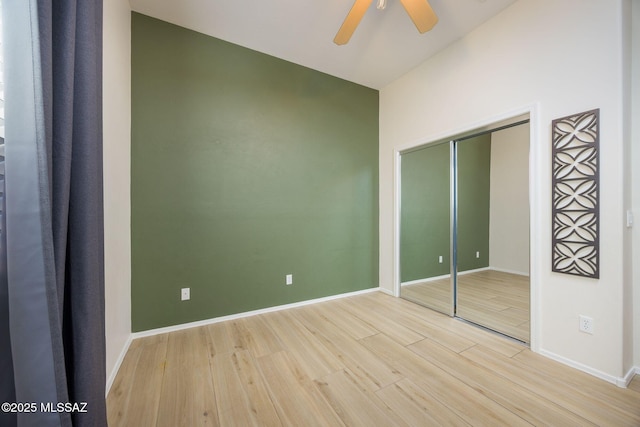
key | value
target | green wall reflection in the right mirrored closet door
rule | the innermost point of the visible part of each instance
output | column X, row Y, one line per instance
column 474, row 190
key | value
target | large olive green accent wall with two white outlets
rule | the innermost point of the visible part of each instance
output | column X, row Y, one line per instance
column 245, row 168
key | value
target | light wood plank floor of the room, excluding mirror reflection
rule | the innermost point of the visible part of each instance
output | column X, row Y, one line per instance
column 368, row 360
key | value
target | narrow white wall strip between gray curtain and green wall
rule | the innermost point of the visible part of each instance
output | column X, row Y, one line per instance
column 117, row 178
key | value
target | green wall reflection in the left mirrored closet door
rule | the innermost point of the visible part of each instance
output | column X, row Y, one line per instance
column 425, row 231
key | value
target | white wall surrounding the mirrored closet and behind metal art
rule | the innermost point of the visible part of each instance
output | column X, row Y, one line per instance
column 561, row 57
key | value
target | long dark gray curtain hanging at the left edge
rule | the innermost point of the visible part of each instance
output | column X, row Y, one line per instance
column 52, row 289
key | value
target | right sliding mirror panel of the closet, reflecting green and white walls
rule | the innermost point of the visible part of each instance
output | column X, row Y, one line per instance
column 493, row 233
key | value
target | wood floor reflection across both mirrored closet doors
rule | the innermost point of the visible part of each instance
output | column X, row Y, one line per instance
column 494, row 299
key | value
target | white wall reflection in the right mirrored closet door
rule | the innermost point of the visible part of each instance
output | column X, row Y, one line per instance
column 509, row 200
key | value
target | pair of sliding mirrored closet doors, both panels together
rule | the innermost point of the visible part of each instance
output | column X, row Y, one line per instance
column 464, row 227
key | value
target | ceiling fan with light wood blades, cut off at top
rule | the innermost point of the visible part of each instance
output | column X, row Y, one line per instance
column 419, row 11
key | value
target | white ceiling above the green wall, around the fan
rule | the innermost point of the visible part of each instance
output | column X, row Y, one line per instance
column 385, row 46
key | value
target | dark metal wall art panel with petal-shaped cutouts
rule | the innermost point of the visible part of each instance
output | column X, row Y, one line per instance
column 575, row 192
